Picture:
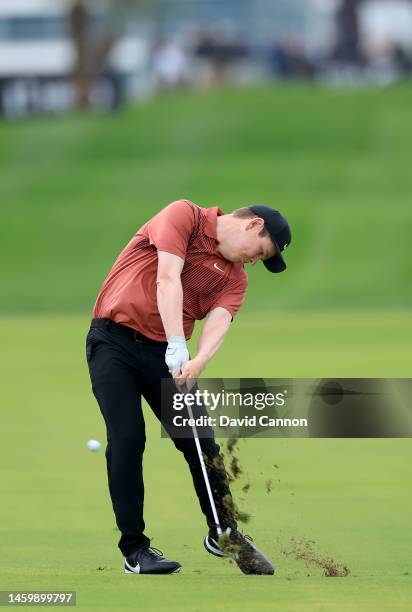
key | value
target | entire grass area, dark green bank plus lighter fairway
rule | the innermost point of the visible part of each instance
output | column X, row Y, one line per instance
column 72, row 192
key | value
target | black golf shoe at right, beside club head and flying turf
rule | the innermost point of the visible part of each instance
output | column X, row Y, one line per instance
column 241, row 549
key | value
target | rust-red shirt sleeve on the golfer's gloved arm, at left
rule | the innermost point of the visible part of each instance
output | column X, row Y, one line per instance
column 171, row 228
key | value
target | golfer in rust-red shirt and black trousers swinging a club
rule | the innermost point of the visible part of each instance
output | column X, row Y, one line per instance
column 184, row 264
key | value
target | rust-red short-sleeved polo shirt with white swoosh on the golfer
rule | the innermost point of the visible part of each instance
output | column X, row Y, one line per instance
column 128, row 295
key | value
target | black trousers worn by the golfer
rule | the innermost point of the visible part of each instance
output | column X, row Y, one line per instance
column 124, row 366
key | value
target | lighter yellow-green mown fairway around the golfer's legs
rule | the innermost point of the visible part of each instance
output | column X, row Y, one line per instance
column 352, row 497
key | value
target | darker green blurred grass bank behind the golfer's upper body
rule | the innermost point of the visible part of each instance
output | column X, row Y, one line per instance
column 75, row 189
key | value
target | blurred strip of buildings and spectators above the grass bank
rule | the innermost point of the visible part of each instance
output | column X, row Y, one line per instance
column 55, row 54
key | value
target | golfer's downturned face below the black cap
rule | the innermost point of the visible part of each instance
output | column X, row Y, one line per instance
column 250, row 247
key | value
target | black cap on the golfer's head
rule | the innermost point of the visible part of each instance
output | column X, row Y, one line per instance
column 279, row 231
